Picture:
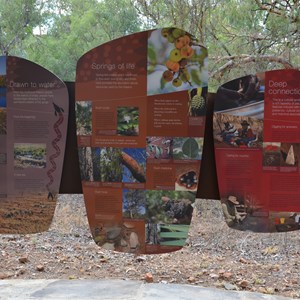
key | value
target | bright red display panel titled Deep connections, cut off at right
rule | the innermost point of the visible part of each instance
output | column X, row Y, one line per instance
column 257, row 148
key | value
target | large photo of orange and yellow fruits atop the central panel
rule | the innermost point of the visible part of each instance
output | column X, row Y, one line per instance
column 176, row 62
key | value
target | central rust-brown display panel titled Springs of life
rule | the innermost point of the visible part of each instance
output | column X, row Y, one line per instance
column 135, row 120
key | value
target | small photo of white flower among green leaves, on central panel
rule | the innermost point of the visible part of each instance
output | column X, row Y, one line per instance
column 128, row 121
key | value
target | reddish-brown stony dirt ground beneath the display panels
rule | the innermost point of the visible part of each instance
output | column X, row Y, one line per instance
column 214, row 256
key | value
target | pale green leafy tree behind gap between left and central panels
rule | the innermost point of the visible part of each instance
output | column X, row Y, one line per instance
column 76, row 26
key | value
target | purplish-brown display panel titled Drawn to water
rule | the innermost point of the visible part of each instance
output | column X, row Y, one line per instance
column 34, row 106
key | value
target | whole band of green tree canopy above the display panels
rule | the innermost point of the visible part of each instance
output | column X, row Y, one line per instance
column 242, row 37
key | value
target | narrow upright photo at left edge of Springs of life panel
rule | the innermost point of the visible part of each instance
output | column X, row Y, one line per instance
column 83, row 111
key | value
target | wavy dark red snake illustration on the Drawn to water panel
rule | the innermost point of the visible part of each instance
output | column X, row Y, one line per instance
column 58, row 111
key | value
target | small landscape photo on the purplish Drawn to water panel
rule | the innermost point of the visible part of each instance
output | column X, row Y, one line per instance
column 29, row 155
